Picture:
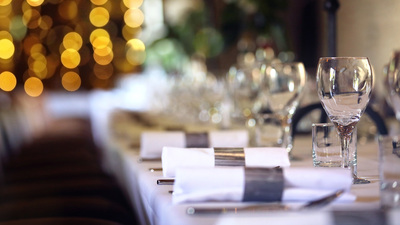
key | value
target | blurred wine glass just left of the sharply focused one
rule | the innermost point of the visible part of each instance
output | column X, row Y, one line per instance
column 282, row 87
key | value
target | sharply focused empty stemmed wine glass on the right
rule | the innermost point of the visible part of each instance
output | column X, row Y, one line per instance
column 344, row 87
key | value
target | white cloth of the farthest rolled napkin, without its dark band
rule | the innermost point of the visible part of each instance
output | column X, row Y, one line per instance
column 152, row 142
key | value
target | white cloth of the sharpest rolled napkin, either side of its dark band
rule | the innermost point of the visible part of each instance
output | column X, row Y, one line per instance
column 195, row 184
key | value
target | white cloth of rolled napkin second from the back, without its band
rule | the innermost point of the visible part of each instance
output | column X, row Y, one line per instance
column 173, row 158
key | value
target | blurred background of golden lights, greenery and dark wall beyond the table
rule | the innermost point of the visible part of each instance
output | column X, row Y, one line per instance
column 154, row 50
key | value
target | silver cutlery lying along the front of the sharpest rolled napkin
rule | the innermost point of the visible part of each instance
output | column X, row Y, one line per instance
column 319, row 203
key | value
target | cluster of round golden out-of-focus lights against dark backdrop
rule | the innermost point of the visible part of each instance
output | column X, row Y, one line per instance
column 43, row 38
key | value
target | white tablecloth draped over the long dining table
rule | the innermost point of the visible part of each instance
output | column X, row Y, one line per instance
column 154, row 206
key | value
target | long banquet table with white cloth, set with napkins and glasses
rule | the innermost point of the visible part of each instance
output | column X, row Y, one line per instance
column 153, row 203
